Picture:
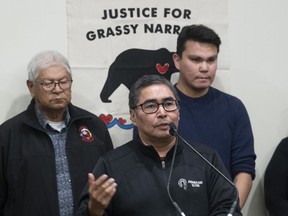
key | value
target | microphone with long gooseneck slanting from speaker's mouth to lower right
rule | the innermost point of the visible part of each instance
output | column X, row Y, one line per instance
column 174, row 132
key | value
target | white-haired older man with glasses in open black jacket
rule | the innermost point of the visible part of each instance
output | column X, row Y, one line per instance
column 47, row 150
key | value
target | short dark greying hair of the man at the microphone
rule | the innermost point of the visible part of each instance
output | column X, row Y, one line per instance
column 145, row 81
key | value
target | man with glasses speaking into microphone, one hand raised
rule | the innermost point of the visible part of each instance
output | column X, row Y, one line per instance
column 156, row 173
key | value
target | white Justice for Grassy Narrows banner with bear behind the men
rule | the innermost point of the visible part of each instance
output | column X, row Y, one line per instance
column 112, row 43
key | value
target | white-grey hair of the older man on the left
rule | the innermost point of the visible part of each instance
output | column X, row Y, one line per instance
column 44, row 60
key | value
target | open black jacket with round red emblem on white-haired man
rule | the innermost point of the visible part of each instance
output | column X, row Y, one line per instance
column 28, row 185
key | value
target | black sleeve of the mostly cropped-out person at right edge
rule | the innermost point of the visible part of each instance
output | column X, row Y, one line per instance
column 276, row 181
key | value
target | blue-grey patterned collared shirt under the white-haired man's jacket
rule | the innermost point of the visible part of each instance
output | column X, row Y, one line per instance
column 58, row 134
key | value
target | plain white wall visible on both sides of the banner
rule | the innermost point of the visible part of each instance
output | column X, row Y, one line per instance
column 258, row 45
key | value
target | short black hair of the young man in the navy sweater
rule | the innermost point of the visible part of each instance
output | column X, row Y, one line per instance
column 199, row 33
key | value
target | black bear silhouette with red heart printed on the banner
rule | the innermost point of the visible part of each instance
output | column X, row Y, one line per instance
column 132, row 64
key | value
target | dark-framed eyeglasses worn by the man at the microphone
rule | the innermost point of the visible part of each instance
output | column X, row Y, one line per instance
column 152, row 106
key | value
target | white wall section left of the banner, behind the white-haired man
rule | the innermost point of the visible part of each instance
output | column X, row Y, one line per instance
column 26, row 27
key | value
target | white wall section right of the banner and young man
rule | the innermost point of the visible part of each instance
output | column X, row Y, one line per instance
column 258, row 39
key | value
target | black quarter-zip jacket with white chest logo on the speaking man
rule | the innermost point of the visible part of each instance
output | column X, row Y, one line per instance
column 141, row 178
